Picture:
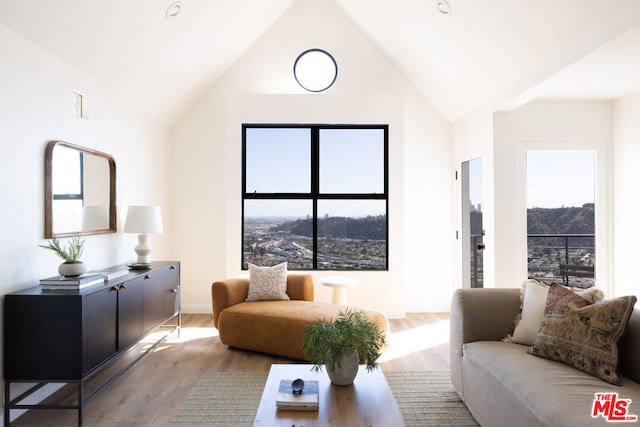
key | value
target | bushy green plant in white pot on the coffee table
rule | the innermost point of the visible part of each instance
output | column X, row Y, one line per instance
column 343, row 344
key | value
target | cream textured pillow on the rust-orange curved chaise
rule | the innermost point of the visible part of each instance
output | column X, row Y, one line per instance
column 268, row 283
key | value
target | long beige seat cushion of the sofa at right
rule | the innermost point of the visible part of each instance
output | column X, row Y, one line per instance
column 535, row 391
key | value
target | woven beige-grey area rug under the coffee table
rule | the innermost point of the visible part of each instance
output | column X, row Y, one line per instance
column 425, row 398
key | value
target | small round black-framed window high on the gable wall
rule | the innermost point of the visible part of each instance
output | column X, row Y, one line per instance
column 315, row 70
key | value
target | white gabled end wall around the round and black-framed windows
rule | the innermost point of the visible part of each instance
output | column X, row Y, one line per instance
column 260, row 87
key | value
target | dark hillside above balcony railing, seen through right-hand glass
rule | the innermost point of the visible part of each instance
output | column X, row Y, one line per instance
column 561, row 220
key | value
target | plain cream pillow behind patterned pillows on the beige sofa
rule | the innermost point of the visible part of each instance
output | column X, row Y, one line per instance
column 534, row 299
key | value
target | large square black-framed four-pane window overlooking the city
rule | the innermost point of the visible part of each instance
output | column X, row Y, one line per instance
column 316, row 196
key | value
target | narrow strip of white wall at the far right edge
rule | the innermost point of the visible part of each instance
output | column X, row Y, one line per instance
column 626, row 198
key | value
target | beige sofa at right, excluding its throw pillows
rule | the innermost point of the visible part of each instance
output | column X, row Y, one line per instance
column 503, row 385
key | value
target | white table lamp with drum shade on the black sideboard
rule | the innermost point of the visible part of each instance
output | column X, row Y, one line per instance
column 143, row 220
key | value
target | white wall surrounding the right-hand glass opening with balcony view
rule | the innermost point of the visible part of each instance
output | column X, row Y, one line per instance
column 545, row 125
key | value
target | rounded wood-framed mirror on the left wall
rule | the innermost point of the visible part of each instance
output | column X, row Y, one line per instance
column 80, row 191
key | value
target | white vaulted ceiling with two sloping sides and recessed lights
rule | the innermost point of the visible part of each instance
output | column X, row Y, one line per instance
column 498, row 53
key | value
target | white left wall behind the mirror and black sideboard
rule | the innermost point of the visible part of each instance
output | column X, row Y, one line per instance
column 36, row 107
